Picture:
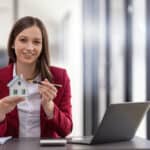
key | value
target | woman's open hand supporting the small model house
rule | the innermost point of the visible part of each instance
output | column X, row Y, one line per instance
column 7, row 104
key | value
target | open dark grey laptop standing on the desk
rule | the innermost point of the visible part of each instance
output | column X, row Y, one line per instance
column 119, row 123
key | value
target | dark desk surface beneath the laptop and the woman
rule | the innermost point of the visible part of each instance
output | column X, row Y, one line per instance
column 33, row 144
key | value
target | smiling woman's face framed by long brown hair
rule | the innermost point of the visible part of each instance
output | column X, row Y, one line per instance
column 28, row 45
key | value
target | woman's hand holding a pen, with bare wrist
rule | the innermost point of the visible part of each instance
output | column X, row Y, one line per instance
column 48, row 92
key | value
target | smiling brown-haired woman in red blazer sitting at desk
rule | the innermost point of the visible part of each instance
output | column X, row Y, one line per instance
column 46, row 112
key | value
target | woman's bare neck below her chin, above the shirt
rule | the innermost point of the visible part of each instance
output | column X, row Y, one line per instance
column 27, row 70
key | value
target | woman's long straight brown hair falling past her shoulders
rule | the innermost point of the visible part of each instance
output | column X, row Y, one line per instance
column 43, row 61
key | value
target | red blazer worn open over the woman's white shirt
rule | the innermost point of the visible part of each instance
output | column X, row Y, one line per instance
column 59, row 126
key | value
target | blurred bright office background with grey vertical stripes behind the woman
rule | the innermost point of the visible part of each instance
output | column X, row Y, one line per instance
column 103, row 44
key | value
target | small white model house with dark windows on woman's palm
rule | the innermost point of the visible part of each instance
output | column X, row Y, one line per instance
column 17, row 87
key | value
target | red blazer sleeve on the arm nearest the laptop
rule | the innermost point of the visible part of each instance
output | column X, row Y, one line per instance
column 62, row 119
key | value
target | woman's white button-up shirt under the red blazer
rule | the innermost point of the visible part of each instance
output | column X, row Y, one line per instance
column 29, row 111
